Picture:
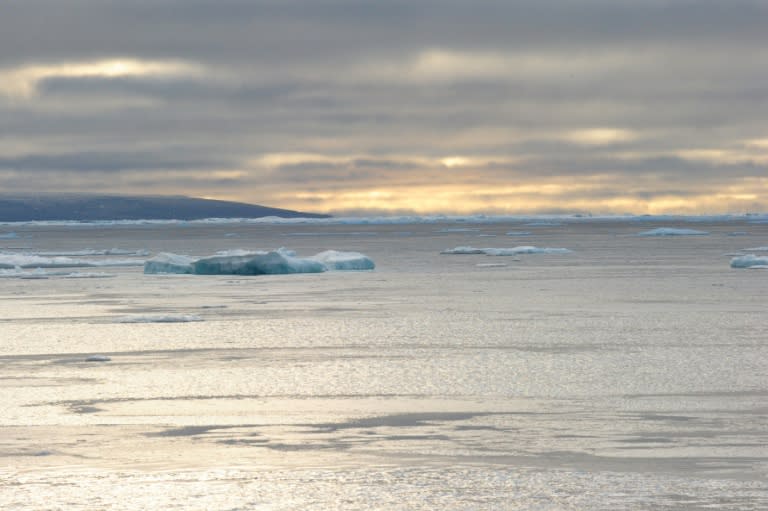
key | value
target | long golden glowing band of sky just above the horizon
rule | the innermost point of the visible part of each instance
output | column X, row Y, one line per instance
column 557, row 194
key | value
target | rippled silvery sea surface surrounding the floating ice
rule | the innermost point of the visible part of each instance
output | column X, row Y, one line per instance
column 627, row 374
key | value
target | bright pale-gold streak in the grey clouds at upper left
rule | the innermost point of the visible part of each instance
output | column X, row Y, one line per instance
column 22, row 82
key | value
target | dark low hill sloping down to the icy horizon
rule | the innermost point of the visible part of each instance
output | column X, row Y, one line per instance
column 92, row 207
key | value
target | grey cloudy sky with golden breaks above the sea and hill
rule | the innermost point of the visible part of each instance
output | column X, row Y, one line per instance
column 392, row 107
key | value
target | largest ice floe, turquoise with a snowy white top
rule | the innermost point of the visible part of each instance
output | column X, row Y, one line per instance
column 243, row 262
